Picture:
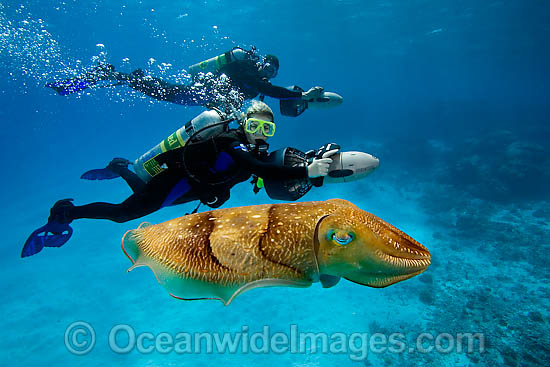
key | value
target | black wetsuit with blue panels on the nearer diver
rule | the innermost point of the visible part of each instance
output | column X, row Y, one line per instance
column 210, row 169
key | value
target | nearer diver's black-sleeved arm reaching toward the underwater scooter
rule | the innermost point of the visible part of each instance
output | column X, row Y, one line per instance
column 265, row 169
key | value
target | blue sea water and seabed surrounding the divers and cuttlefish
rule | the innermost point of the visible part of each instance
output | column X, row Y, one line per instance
column 452, row 96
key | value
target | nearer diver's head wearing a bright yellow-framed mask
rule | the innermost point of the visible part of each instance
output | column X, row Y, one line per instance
column 259, row 122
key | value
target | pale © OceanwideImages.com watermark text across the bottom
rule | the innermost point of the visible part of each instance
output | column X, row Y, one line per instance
column 80, row 339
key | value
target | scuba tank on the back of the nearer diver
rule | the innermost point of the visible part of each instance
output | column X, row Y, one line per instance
column 147, row 167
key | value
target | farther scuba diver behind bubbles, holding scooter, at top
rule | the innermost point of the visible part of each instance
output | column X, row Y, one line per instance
column 248, row 73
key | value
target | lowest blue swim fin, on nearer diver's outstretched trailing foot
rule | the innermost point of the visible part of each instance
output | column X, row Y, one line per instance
column 53, row 234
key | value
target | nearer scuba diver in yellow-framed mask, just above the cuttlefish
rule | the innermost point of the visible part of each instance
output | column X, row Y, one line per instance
column 202, row 161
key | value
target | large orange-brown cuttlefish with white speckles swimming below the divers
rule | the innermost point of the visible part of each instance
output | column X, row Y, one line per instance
column 222, row 253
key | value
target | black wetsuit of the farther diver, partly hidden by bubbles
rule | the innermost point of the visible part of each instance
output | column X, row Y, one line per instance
column 244, row 75
